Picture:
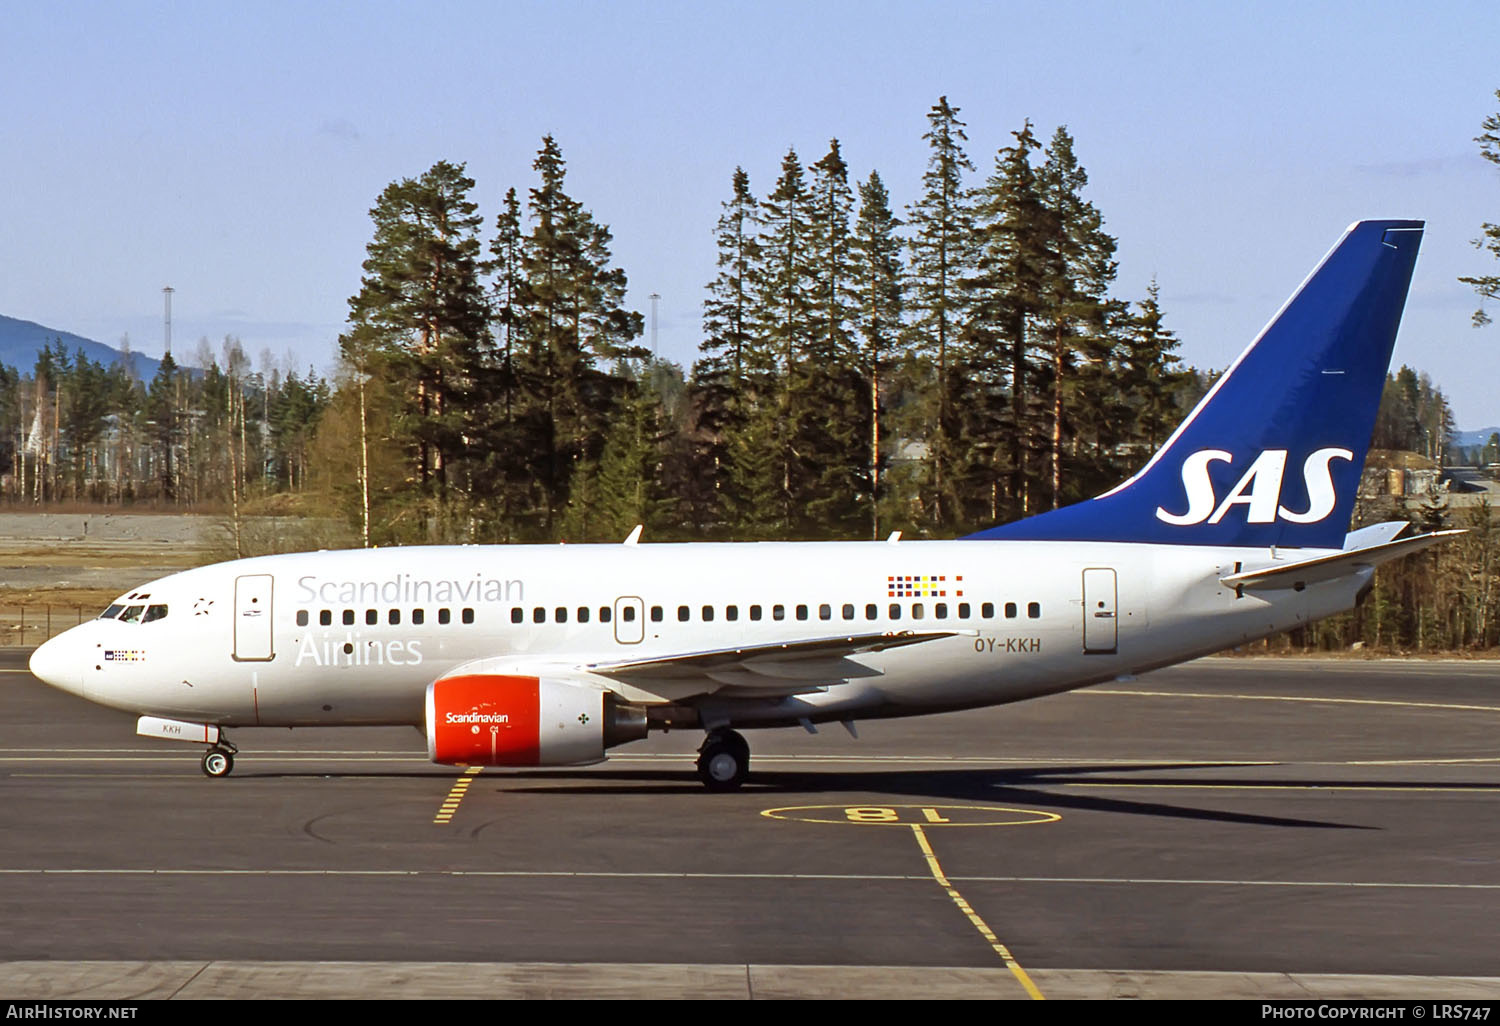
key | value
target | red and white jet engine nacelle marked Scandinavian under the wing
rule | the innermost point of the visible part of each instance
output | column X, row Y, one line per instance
column 502, row 721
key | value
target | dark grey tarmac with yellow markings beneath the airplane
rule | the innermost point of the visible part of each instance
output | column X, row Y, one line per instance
column 1229, row 829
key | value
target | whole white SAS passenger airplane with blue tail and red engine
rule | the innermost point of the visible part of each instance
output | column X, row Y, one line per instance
column 550, row 656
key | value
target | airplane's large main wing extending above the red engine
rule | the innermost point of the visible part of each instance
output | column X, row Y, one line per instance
column 761, row 671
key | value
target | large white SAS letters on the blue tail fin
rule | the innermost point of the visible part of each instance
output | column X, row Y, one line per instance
column 1259, row 488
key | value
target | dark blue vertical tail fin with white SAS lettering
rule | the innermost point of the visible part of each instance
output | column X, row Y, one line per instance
column 1274, row 452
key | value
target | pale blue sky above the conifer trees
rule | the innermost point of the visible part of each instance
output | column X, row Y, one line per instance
column 233, row 151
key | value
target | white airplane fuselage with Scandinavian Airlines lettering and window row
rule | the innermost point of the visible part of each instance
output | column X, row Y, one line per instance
column 355, row 638
